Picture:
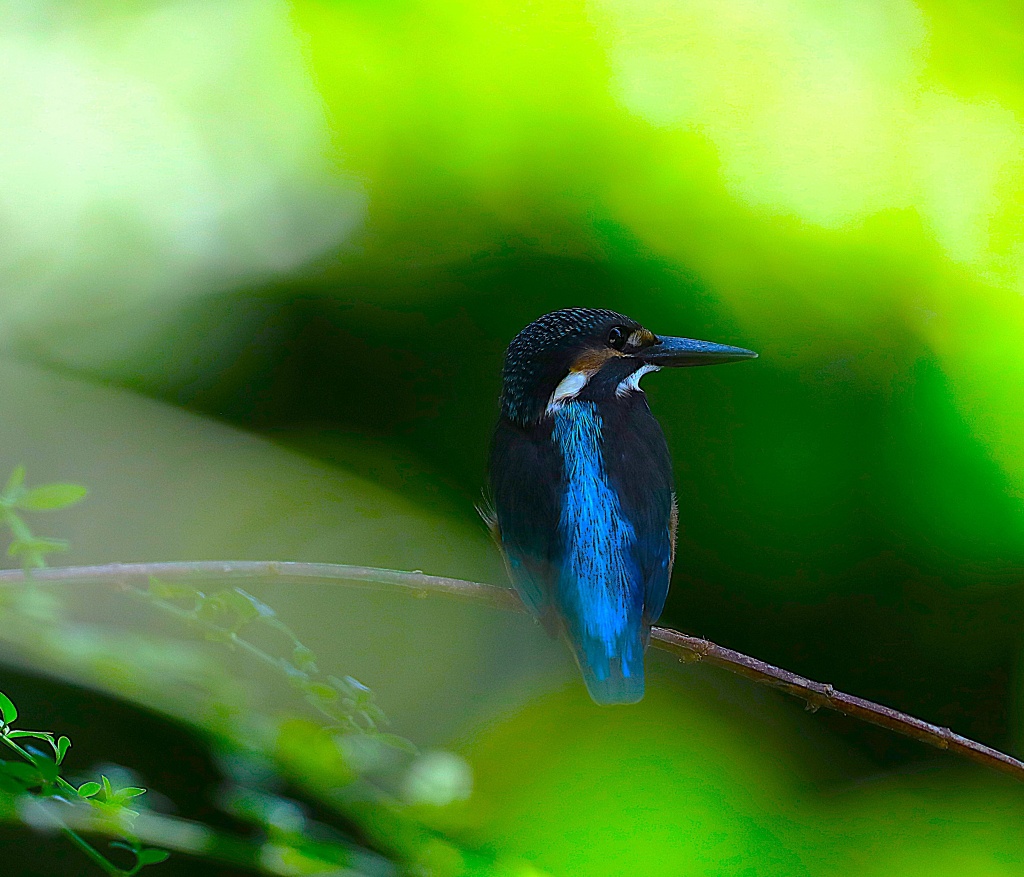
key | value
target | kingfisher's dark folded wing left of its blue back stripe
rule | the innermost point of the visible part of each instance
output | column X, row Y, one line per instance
column 526, row 477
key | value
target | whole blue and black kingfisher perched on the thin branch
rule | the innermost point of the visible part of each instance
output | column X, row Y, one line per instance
column 581, row 484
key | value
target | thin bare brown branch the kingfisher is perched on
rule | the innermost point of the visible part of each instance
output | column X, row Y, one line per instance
column 816, row 695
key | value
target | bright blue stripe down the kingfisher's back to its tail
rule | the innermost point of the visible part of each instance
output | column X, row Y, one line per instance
column 601, row 593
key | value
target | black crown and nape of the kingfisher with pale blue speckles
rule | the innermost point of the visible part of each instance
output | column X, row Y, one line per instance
column 540, row 356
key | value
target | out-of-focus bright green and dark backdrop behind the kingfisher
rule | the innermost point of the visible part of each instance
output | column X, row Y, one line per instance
column 260, row 265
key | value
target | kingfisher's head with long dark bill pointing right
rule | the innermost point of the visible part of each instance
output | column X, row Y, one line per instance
column 589, row 354
